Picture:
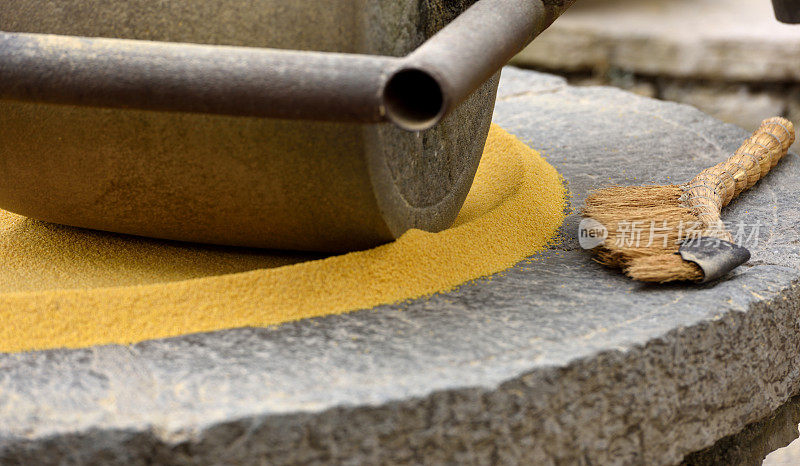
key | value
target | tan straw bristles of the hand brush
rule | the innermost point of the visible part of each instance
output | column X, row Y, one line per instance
column 645, row 227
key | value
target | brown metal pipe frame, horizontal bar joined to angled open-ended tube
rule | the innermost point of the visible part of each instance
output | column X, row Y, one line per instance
column 414, row 92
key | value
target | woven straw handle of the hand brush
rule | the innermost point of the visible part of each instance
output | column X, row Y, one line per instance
column 717, row 186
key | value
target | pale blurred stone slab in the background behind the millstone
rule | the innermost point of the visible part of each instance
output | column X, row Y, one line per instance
column 729, row 40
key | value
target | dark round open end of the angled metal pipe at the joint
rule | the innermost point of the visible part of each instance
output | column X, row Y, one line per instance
column 414, row 100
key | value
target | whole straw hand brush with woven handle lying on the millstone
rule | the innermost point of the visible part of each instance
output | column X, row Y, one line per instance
column 675, row 232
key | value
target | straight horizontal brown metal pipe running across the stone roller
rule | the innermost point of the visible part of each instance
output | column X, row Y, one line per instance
column 192, row 78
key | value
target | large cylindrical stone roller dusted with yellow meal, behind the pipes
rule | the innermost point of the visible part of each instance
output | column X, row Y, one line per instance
column 116, row 167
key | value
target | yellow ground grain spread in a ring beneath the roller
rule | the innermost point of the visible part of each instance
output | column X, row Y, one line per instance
column 66, row 287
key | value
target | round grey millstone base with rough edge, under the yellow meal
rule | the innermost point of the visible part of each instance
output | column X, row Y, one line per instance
column 557, row 360
